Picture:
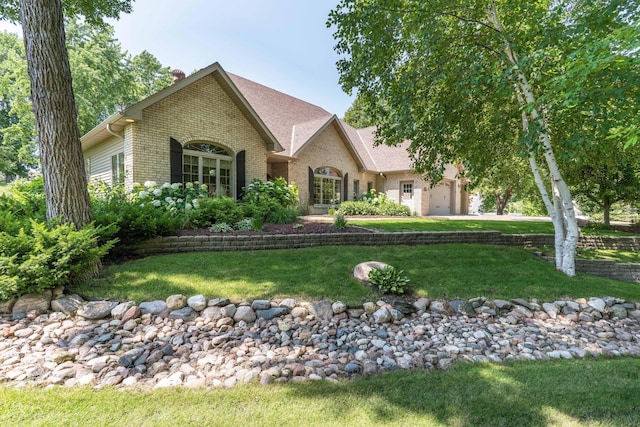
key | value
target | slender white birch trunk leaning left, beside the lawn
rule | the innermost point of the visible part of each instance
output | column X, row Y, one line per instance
column 561, row 210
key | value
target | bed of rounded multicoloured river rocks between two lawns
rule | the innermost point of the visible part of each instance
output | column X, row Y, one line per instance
column 195, row 342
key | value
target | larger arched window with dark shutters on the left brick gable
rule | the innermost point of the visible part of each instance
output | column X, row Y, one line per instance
column 209, row 164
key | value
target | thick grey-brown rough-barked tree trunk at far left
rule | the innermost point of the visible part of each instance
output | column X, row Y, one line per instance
column 65, row 181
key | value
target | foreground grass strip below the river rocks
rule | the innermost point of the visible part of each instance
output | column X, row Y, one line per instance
column 600, row 392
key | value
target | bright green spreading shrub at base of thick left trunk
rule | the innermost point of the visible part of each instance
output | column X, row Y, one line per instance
column 47, row 256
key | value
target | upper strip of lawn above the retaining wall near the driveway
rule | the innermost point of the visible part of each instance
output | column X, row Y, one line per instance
column 505, row 227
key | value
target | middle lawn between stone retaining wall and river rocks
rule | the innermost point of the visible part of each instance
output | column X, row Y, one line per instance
column 435, row 271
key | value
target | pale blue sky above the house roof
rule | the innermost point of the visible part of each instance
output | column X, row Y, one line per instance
column 282, row 44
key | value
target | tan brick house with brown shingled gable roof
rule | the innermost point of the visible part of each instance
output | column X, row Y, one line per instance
column 224, row 130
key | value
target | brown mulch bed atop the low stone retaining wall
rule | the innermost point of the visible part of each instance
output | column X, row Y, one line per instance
column 308, row 227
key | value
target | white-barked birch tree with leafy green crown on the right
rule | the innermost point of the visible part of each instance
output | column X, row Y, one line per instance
column 440, row 68
